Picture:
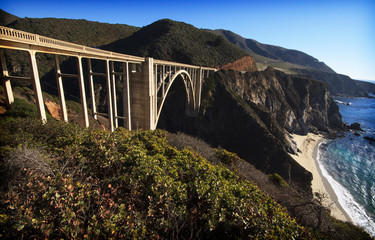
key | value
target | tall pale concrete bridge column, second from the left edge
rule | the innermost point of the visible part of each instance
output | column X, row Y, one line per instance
column 37, row 87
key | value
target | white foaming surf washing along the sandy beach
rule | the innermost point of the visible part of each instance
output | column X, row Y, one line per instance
column 354, row 210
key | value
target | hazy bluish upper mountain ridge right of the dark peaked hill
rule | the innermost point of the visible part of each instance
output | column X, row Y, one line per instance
column 269, row 53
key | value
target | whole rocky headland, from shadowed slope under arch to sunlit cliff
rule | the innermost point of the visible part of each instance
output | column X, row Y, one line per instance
column 252, row 113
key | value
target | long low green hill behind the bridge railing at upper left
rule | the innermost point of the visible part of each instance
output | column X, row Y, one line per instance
column 77, row 31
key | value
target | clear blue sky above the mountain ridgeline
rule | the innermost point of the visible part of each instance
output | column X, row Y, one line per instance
column 341, row 33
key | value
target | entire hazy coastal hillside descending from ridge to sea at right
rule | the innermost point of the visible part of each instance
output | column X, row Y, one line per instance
column 295, row 62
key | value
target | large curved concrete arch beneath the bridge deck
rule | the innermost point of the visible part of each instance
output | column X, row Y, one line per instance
column 189, row 88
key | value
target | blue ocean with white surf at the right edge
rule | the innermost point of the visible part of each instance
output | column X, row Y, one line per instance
column 348, row 163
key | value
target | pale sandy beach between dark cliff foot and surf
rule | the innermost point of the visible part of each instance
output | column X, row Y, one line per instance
column 308, row 159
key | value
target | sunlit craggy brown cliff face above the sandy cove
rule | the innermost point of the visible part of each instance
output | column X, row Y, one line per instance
column 297, row 104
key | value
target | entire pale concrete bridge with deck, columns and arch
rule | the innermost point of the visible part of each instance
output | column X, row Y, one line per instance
column 144, row 82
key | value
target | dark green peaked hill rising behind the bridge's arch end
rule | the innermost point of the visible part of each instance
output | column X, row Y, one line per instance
column 178, row 41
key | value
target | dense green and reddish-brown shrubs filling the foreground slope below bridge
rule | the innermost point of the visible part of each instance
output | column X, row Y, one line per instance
column 124, row 185
